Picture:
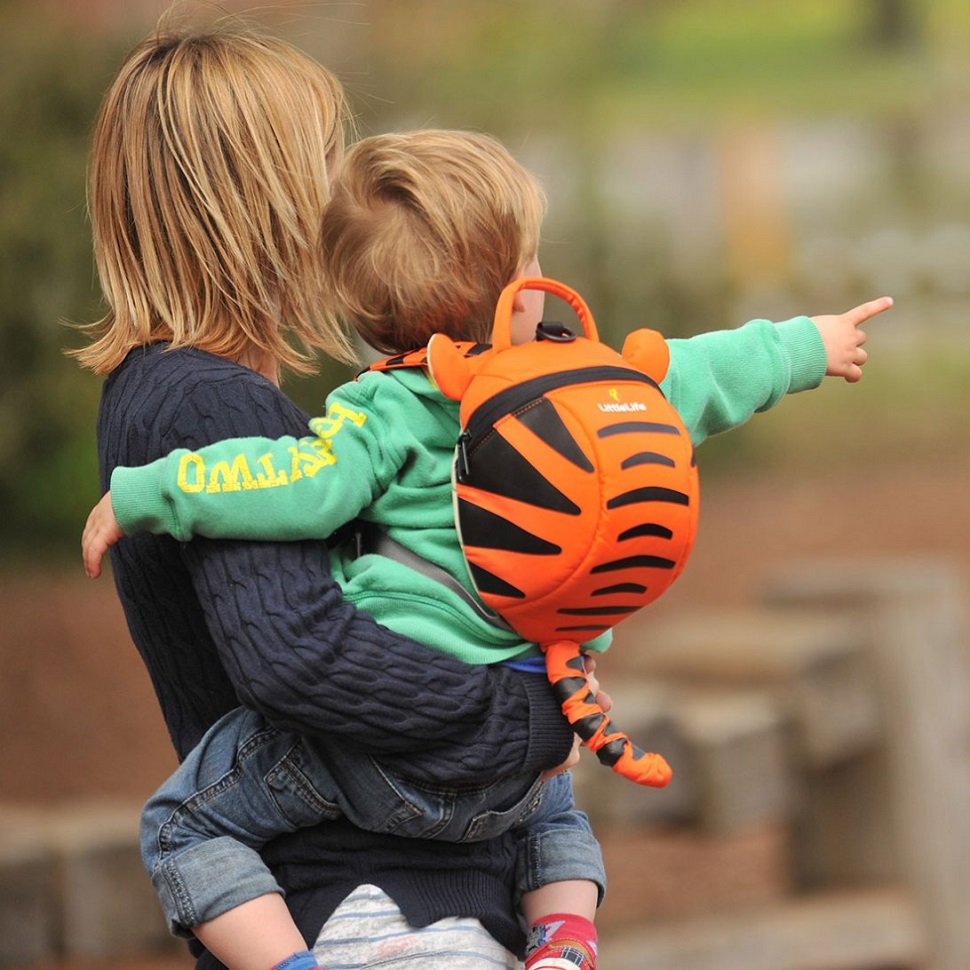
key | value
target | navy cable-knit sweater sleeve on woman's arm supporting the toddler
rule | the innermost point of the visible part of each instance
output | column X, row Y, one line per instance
column 308, row 661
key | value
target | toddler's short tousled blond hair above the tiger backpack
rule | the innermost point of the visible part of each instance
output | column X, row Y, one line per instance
column 423, row 231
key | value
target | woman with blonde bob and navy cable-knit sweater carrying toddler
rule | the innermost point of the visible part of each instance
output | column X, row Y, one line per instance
column 209, row 172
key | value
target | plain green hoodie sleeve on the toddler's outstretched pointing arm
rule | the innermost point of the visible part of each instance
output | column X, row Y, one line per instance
column 718, row 380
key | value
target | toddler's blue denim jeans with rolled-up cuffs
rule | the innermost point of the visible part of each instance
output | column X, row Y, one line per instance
column 247, row 782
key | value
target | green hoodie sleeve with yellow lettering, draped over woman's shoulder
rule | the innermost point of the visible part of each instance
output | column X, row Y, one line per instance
column 262, row 488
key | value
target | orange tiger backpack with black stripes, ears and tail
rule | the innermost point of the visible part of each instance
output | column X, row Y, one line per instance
column 575, row 490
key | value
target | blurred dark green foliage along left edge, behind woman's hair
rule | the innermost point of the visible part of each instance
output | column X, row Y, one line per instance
column 51, row 85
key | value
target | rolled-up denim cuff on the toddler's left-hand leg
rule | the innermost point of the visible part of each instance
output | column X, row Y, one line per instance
column 207, row 880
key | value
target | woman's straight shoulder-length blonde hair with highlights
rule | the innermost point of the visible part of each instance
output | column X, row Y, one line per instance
column 209, row 174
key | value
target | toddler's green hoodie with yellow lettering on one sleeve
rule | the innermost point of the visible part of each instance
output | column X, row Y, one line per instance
column 383, row 453
